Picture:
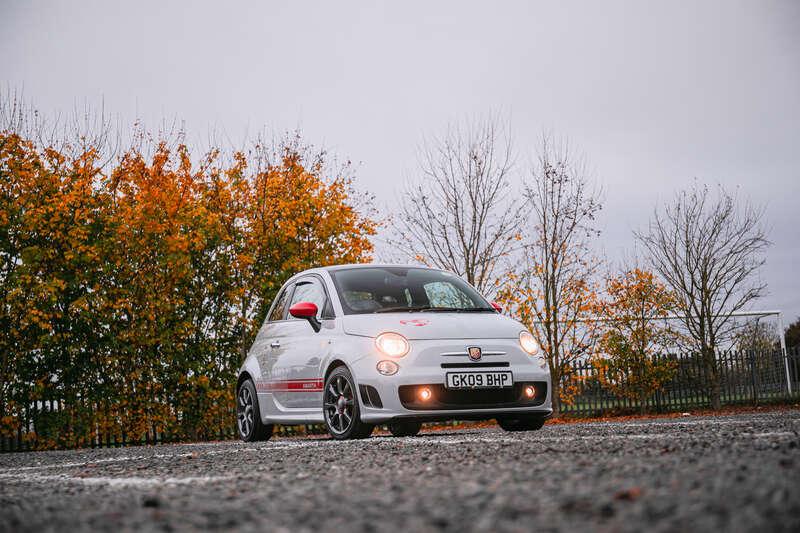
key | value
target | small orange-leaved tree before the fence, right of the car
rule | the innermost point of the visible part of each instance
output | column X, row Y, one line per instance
column 631, row 361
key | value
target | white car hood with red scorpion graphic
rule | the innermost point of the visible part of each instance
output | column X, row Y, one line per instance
column 423, row 326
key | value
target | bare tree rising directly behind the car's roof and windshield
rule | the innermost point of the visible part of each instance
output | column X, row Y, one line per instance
column 462, row 214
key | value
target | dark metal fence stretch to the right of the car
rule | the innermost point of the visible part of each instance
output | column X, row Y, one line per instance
column 745, row 378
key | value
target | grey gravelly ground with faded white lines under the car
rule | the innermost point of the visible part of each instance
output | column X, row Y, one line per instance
column 731, row 473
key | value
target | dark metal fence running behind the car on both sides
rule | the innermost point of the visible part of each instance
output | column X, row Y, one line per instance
column 745, row 378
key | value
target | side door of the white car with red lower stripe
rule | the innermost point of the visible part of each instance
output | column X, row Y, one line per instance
column 296, row 381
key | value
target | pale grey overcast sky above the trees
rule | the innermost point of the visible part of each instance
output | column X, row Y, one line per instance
column 655, row 93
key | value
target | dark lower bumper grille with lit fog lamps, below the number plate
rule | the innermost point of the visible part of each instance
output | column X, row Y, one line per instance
column 445, row 399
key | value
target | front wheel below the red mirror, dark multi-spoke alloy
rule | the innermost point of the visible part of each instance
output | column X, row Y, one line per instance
column 341, row 409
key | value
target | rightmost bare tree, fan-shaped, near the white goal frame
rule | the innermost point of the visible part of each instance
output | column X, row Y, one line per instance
column 709, row 250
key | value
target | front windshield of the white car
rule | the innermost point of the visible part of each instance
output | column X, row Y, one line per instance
column 398, row 289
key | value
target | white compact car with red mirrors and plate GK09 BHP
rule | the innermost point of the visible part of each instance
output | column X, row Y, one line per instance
column 355, row 346
